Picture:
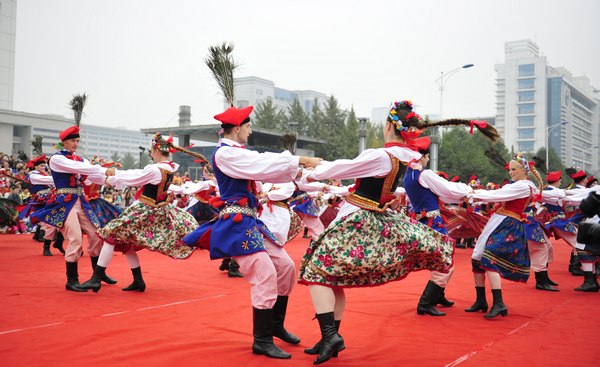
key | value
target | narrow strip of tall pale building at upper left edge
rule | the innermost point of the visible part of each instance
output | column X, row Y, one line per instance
column 8, row 26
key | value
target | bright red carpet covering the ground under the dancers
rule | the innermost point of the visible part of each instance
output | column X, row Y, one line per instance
column 194, row 315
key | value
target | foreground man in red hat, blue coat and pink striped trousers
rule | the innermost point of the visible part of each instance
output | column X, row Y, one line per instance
column 239, row 233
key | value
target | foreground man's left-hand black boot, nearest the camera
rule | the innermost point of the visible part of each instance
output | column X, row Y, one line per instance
column 263, row 335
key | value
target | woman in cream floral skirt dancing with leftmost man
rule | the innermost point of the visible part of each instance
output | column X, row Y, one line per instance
column 152, row 222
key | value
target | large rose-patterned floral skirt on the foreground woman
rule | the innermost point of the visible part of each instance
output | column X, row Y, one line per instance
column 369, row 249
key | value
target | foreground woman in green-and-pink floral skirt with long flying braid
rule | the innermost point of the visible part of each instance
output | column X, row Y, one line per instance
column 366, row 245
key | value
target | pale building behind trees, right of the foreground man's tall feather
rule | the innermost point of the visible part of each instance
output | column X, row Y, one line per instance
column 252, row 90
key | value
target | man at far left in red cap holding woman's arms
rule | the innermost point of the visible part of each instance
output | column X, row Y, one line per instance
column 68, row 209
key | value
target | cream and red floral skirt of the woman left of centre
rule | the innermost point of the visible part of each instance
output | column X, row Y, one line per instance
column 156, row 229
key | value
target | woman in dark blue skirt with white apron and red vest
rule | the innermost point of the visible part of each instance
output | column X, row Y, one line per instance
column 501, row 249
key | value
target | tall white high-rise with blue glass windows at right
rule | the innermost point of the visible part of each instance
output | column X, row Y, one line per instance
column 538, row 104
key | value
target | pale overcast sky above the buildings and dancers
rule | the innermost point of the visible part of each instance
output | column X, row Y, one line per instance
column 139, row 60
